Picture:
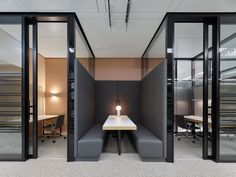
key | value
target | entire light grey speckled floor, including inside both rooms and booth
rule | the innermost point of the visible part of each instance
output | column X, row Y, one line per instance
column 52, row 163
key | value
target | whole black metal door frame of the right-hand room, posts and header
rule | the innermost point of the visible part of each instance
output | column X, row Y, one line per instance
column 212, row 19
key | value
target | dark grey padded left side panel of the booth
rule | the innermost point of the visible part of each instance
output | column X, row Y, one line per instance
column 84, row 102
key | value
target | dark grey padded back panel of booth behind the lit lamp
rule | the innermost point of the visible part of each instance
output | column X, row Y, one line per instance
column 106, row 95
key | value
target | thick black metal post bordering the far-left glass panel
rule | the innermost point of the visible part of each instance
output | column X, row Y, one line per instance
column 25, row 88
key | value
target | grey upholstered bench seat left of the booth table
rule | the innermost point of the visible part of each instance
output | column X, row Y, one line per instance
column 91, row 144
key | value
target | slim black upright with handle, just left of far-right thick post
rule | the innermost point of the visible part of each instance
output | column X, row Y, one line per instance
column 205, row 91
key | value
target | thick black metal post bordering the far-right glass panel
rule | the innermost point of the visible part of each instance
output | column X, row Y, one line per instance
column 215, row 88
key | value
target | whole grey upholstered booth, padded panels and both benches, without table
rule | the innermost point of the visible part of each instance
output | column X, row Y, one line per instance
column 143, row 101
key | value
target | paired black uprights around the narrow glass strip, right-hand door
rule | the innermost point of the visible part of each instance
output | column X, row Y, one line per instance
column 210, row 21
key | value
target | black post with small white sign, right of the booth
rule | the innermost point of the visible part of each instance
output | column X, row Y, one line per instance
column 170, row 87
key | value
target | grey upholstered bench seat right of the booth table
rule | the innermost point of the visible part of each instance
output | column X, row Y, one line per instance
column 150, row 147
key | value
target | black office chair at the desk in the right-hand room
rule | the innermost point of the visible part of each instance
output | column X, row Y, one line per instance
column 188, row 127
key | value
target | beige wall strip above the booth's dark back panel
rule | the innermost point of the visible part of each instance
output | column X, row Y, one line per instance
column 118, row 69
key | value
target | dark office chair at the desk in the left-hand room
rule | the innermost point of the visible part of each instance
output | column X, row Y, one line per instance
column 53, row 128
